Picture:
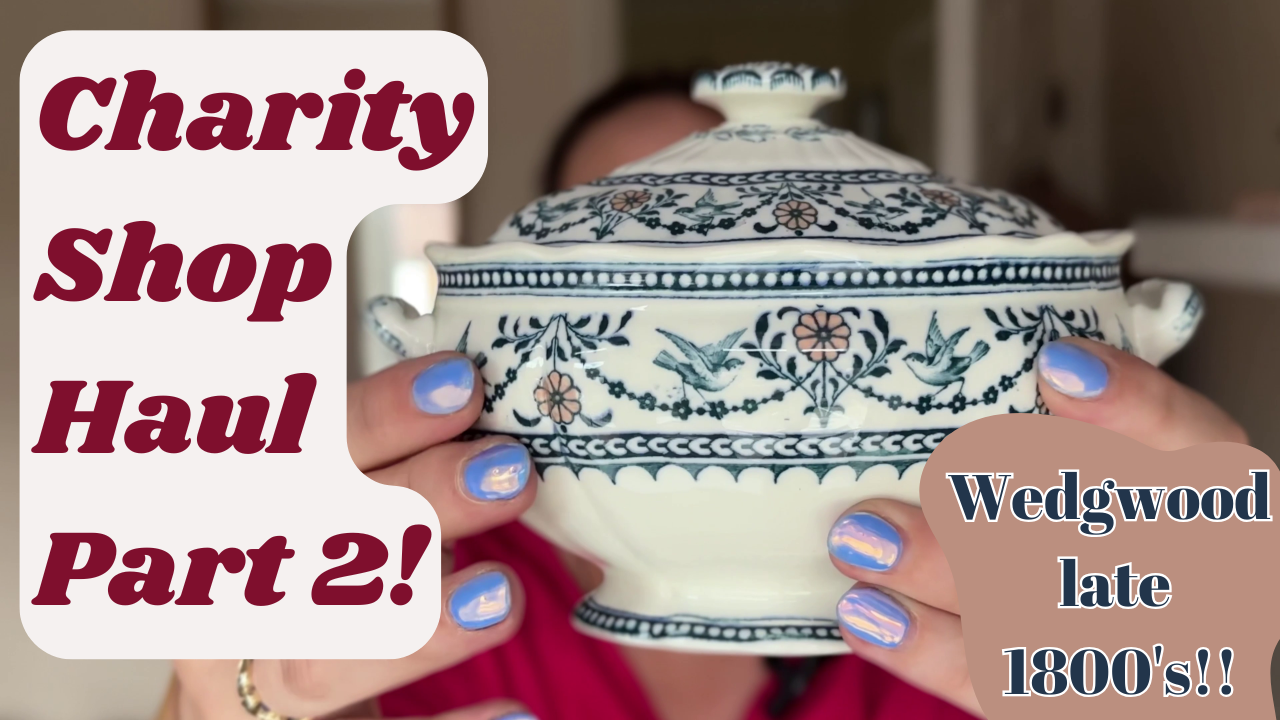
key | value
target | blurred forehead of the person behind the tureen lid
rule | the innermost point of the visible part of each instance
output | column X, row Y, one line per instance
column 632, row 133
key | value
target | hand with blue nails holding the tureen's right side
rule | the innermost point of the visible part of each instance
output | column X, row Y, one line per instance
column 904, row 614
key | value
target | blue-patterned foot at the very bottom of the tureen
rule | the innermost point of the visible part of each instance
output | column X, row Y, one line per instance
column 775, row 637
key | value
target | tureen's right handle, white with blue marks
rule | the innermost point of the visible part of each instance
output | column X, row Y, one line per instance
column 1165, row 316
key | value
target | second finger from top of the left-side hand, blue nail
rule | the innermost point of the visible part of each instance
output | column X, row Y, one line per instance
column 473, row 486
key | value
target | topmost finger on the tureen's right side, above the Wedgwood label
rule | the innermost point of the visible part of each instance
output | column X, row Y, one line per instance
column 1108, row 388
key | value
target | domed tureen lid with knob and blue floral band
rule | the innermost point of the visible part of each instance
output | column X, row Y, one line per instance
column 772, row 172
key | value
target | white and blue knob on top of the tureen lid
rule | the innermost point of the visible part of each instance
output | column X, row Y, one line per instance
column 769, row 93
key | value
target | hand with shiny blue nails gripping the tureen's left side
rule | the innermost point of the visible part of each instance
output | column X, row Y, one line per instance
column 401, row 425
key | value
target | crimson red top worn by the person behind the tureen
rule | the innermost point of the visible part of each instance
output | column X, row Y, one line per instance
column 561, row 675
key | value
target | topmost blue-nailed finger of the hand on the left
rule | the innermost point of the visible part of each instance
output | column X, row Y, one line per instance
column 412, row 407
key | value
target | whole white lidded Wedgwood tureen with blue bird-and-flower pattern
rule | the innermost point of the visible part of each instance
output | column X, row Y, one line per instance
column 714, row 352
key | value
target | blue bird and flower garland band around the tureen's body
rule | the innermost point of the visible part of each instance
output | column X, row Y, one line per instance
column 821, row 353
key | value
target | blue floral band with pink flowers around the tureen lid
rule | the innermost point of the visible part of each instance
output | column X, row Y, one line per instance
column 881, row 207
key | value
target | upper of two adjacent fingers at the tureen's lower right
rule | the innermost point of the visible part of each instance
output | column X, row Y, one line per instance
column 890, row 544
